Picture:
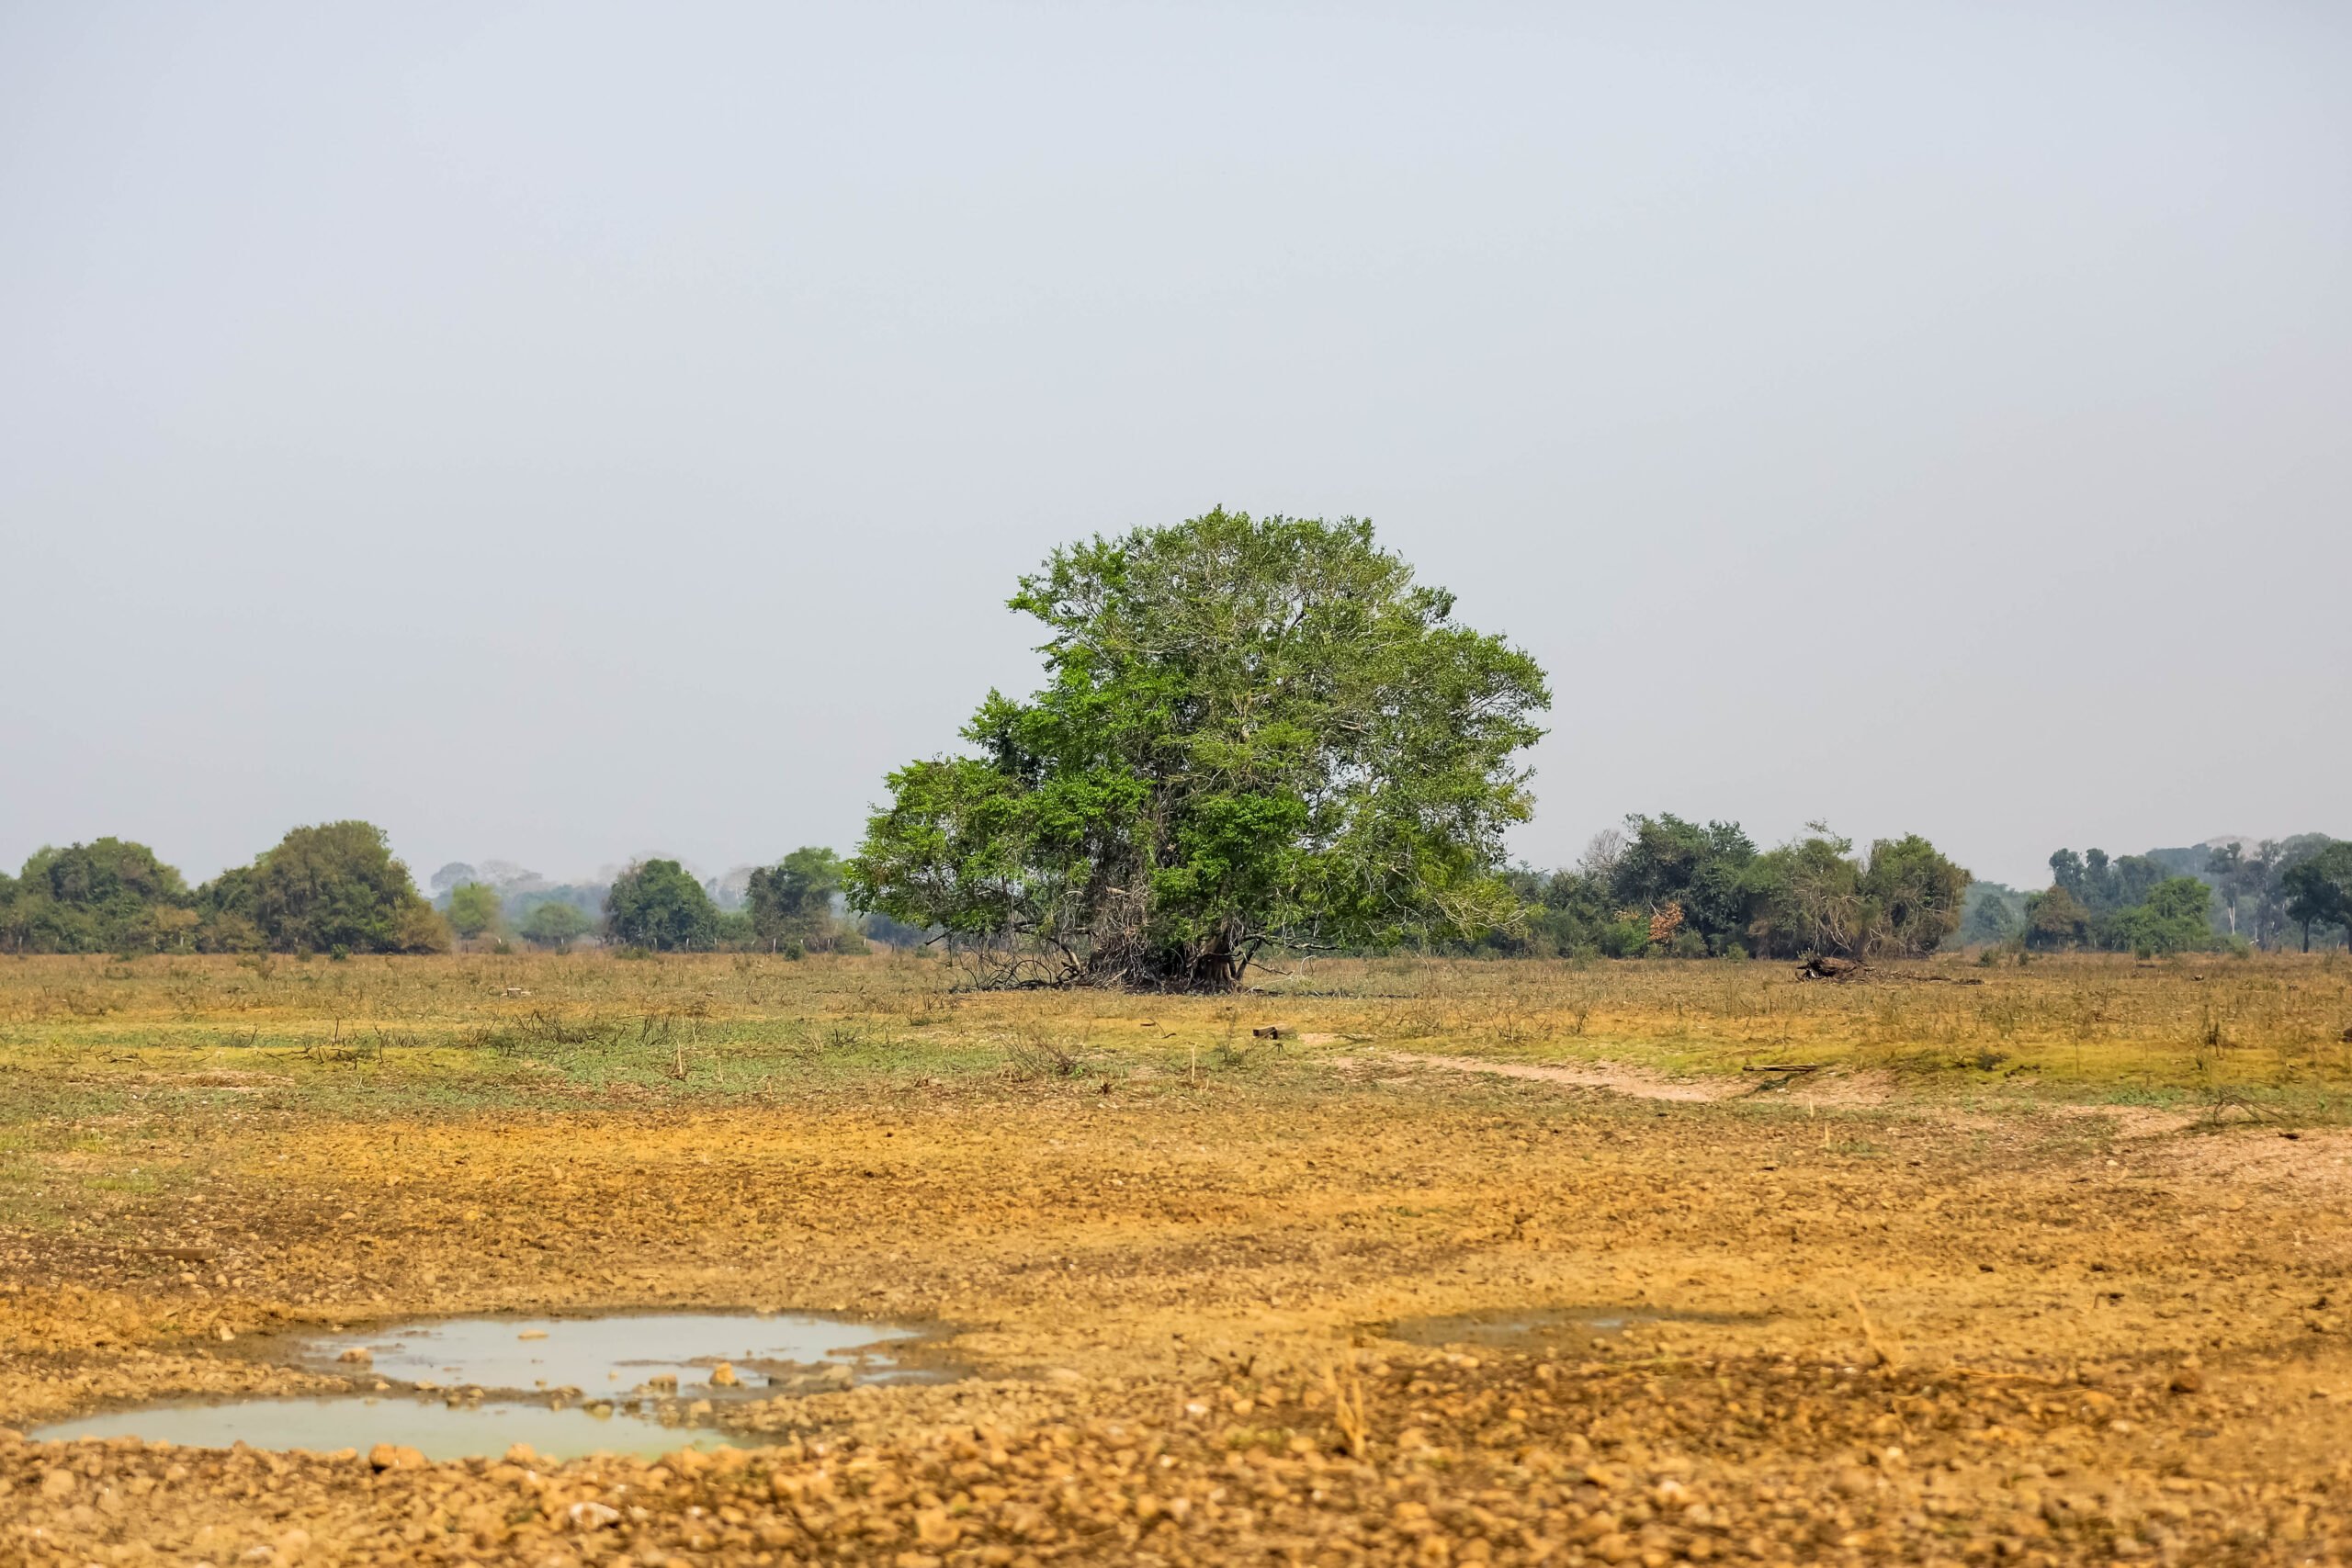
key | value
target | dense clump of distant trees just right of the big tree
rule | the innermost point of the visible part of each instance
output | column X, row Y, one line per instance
column 1669, row 887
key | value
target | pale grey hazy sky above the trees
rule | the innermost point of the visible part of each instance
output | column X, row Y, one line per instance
column 575, row 431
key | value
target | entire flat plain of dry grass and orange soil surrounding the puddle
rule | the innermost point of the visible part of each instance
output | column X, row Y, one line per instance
column 1382, row 1264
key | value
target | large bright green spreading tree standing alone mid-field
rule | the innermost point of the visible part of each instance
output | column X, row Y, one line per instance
column 1255, row 732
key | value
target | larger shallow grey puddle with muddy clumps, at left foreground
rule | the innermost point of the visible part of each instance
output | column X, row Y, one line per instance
column 568, row 1388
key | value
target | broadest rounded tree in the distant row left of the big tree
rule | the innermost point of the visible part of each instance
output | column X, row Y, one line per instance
column 335, row 887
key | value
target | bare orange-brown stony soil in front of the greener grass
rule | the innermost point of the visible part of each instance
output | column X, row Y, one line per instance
column 1925, row 1339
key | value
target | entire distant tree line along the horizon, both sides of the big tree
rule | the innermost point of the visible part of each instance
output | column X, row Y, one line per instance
column 1659, row 885
